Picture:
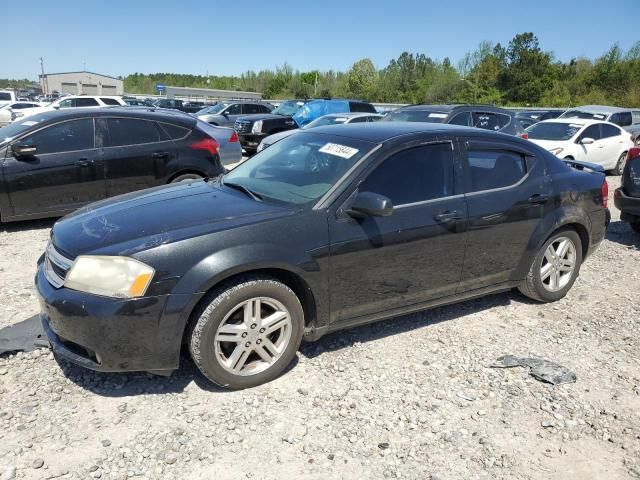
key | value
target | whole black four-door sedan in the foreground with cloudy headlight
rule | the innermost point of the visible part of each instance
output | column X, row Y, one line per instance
column 326, row 229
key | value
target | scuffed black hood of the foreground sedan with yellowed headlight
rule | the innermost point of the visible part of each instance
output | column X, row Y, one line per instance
column 138, row 221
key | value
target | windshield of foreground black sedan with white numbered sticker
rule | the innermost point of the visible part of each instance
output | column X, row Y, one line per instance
column 300, row 168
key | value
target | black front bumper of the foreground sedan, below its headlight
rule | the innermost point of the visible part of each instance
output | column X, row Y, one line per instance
column 113, row 335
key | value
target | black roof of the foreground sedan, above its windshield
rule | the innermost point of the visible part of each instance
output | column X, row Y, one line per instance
column 378, row 132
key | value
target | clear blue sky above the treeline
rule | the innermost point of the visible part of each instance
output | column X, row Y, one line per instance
column 118, row 37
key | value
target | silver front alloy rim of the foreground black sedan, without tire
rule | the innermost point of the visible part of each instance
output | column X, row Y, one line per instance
column 253, row 336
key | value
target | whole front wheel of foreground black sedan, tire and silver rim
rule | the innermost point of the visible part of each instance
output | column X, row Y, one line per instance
column 248, row 333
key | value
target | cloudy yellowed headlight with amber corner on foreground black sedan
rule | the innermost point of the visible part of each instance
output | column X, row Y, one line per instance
column 119, row 277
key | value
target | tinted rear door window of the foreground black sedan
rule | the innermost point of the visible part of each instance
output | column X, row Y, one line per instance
column 491, row 169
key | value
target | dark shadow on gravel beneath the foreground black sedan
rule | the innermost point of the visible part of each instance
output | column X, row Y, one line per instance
column 141, row 383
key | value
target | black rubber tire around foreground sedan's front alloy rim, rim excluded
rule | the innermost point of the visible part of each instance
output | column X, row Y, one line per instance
column 226, row 300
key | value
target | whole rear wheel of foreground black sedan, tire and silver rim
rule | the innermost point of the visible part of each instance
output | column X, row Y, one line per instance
column 555, row 267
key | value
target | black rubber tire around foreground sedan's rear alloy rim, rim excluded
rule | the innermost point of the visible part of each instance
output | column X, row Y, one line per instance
column 533, row 287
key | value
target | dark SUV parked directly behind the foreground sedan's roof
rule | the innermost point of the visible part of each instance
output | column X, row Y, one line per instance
column 485, row 117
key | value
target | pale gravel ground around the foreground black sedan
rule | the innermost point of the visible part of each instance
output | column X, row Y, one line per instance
column 412, row 397
